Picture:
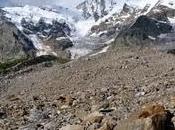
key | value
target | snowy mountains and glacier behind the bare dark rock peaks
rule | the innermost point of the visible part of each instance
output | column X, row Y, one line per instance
column 53, row 28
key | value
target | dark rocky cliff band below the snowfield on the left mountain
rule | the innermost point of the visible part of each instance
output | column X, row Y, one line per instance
column 48, row 33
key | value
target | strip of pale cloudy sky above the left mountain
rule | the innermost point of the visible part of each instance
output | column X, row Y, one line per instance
column 65, row 3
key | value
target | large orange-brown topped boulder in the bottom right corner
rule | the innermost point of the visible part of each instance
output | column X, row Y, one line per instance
column 152, row 117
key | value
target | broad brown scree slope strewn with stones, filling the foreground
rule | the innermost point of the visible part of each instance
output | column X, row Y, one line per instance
column 112, row 85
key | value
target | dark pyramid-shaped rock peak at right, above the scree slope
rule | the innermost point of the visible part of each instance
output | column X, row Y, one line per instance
column 142, row 29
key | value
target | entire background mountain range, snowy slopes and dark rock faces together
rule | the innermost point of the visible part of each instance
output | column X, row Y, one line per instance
column 50, row 30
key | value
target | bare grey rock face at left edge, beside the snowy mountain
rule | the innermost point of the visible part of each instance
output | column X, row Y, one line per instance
column 13, row 43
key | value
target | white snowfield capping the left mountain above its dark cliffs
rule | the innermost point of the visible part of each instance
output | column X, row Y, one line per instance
column 34, row 14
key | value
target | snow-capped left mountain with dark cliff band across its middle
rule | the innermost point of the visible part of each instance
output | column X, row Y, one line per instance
column 48, row 29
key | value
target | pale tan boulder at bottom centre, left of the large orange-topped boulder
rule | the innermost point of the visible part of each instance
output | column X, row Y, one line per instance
column 95, row 117
